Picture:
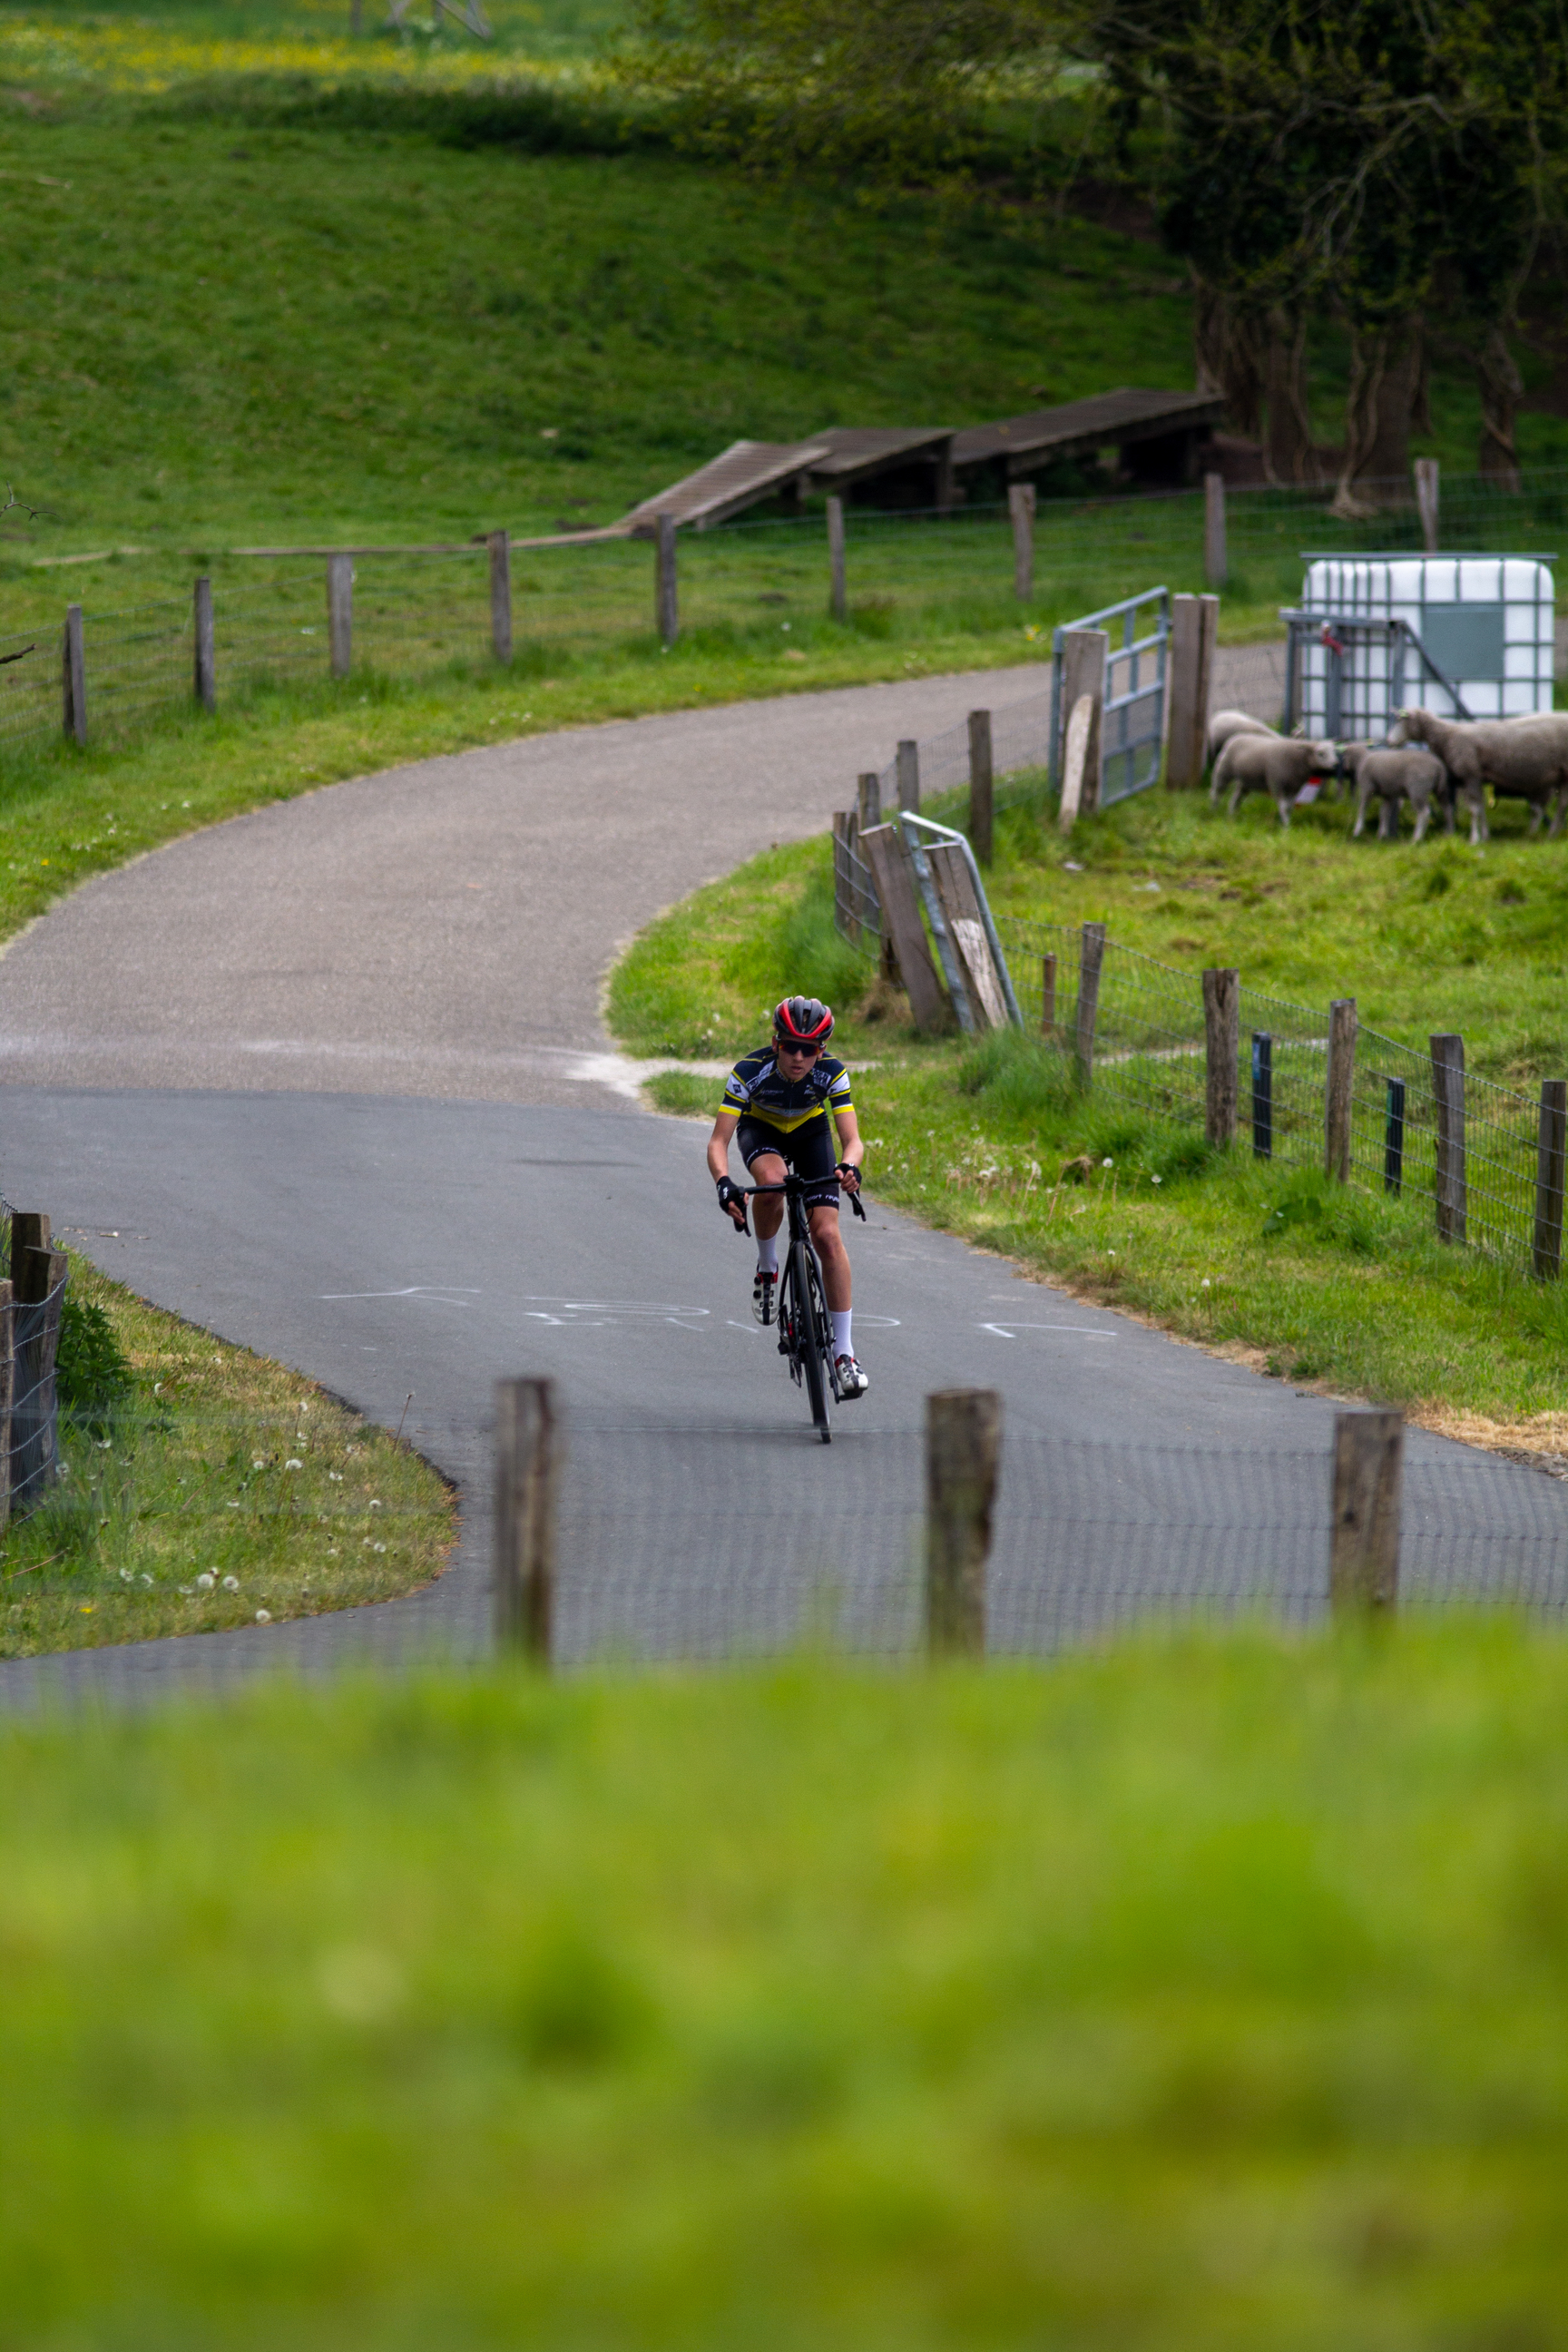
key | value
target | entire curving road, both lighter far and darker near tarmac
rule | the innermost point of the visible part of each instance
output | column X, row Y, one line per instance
column 333, row 1083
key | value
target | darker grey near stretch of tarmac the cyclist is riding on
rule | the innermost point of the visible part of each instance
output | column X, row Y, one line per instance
column 391, row 1245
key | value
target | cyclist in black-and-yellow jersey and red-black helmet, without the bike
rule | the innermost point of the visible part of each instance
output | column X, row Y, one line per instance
column 782, row 1107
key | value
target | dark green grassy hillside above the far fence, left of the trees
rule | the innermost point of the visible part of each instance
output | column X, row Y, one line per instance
column 269, row 283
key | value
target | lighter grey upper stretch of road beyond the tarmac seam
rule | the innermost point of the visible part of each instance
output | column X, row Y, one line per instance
column 441, row 930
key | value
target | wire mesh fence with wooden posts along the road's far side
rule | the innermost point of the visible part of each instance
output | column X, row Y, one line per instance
column 760, row 584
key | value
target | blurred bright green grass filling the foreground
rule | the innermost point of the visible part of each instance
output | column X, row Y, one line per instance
column 1195, row 1996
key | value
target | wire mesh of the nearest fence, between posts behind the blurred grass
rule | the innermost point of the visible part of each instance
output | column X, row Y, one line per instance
column 706, row 1544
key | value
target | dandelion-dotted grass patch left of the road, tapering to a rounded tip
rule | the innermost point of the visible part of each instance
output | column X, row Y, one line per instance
column 210, row 1488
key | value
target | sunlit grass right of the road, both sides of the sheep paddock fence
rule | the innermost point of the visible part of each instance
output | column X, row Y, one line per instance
column 1325, row 1288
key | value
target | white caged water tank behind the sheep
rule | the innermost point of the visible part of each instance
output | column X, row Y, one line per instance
column 1487, row 622
